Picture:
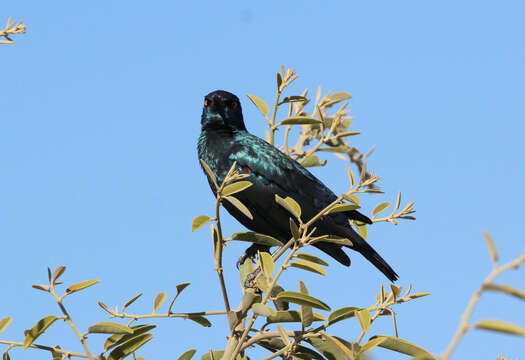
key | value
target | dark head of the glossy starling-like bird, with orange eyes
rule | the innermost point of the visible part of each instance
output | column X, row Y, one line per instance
column 222, row 108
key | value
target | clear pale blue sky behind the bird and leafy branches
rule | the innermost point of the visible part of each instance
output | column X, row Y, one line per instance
column 99, row 117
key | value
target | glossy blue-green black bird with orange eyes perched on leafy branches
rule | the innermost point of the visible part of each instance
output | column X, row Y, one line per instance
column 224, row 140
